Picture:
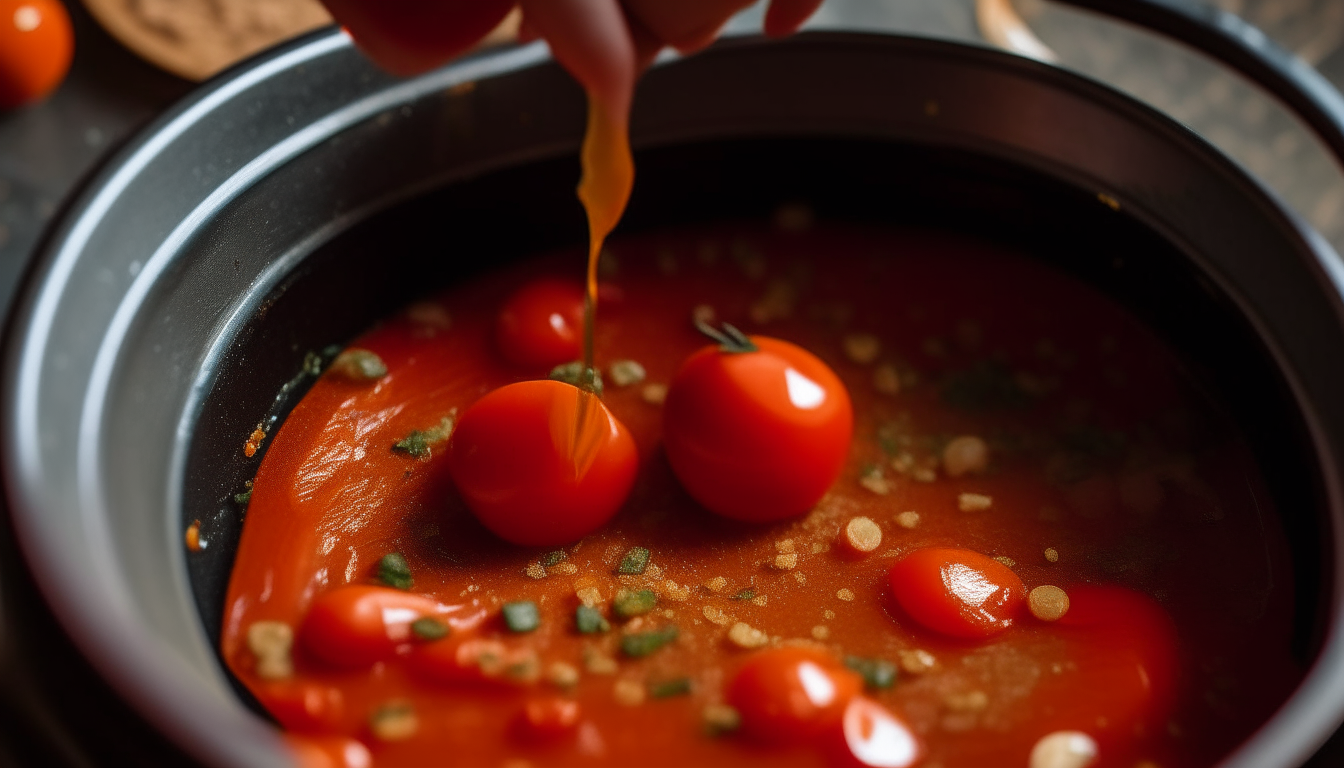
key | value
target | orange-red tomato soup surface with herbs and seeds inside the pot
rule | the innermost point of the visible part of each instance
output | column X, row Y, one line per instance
column 1001, row 410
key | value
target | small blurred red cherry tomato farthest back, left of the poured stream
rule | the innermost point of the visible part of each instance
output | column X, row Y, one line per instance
column 541, row 326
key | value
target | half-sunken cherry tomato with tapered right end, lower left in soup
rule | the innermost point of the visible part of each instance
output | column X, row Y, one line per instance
column 357, row 626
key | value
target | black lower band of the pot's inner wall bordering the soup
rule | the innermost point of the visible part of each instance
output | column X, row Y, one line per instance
column 446, row 236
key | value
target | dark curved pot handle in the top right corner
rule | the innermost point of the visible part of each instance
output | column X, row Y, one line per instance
column 1243, row 48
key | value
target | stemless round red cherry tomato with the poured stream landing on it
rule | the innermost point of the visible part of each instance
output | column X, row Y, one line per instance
column 518, row 465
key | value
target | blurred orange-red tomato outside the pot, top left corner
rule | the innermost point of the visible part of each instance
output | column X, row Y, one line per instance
column 37, row 45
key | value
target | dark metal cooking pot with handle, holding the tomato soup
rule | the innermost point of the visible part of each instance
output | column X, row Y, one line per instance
column 292, row 202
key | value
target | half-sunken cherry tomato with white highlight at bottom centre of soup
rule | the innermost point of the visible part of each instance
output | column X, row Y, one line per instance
column 792, row 695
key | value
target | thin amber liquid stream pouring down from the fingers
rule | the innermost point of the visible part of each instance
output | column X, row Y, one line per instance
column 604, row 190
